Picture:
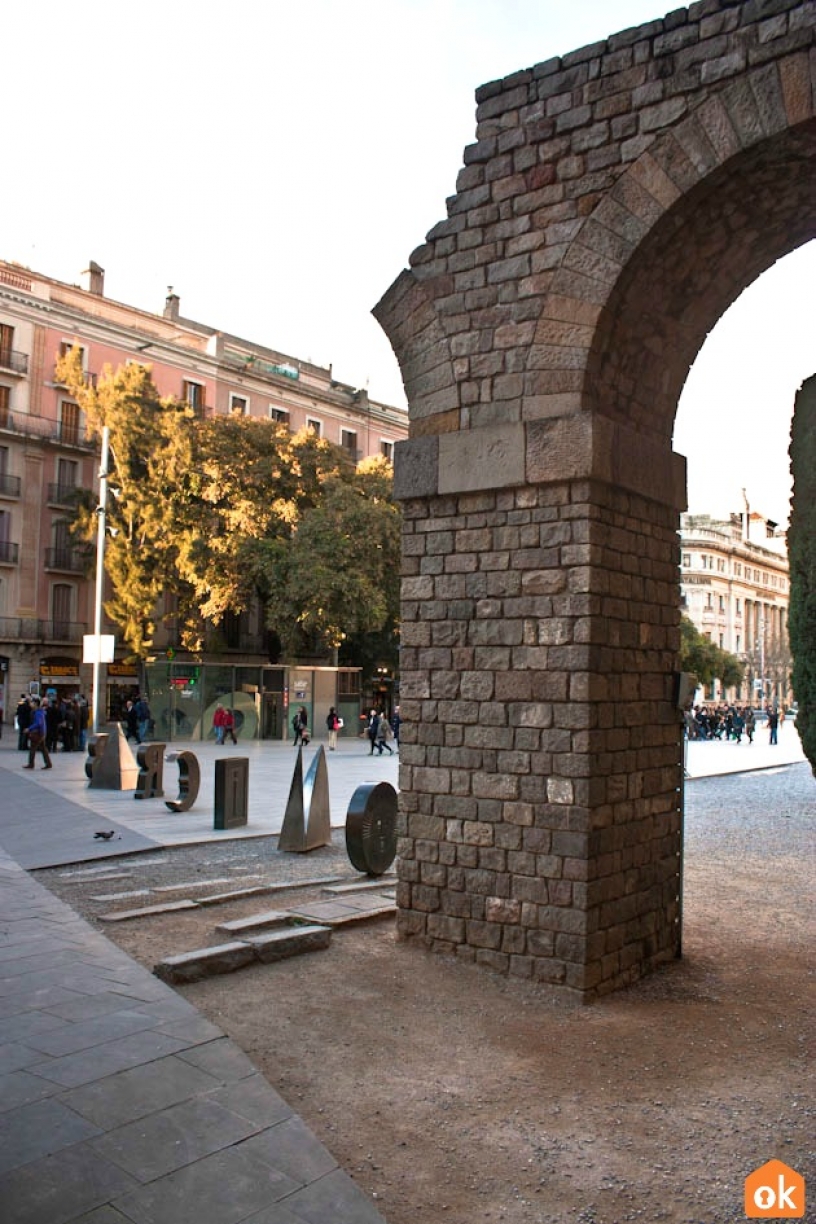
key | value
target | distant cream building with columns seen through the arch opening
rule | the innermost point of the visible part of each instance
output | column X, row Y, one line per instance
column 736, row 591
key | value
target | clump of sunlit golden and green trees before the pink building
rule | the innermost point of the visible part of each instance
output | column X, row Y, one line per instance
column 232, row 511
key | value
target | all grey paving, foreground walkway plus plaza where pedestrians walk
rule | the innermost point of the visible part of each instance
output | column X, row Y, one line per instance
column 119, row 1102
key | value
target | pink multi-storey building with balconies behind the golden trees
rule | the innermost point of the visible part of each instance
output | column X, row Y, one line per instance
column 47, row 588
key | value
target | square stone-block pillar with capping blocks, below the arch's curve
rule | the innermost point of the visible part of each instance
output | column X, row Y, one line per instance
column 541, row 755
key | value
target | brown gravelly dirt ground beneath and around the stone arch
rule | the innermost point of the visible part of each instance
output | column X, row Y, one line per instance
column 452, row 1095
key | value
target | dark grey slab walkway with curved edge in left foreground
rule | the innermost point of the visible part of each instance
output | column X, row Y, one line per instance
column 121, row 1105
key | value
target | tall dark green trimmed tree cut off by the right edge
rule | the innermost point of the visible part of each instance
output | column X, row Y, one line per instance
column 802, row 555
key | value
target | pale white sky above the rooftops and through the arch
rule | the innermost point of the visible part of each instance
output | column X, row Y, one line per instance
column 276, row 162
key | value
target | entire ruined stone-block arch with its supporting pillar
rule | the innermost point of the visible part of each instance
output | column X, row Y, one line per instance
column 615, row 204
